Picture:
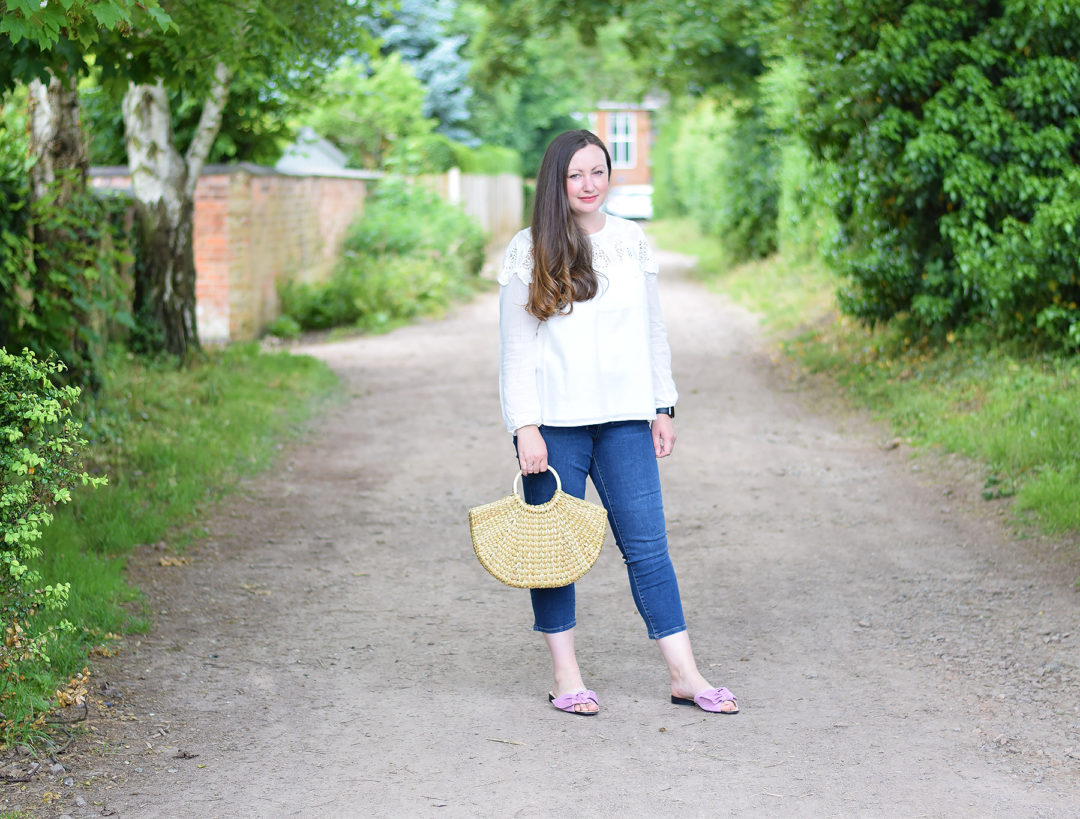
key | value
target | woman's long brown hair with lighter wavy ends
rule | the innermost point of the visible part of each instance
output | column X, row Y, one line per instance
column 562, row 253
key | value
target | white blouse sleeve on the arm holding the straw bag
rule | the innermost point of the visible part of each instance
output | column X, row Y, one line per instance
column 518, row 356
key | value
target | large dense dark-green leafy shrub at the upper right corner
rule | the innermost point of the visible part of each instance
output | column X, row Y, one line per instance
column 955, row 133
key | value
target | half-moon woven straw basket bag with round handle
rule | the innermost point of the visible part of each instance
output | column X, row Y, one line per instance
column 538, row 547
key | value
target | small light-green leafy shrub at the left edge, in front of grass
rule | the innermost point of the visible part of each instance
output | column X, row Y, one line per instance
column 39, row 466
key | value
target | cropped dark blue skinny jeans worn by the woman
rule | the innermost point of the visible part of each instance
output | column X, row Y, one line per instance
column 622, row 462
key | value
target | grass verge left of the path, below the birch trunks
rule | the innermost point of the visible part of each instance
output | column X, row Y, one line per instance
column 173, row 444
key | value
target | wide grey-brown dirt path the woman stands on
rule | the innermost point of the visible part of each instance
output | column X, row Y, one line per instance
column 335, row 651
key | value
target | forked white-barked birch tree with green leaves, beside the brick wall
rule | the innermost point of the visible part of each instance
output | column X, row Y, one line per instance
column 290, row 46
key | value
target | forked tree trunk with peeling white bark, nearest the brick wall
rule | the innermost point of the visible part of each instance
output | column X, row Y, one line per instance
column 165, row 186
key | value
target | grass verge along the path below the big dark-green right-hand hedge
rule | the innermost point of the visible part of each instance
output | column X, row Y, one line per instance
column 1012, row 410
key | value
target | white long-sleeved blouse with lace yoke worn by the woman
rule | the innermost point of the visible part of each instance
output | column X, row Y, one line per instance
column 607, row 360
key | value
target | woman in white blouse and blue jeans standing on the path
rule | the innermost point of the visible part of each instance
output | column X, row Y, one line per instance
column 587, row 387
